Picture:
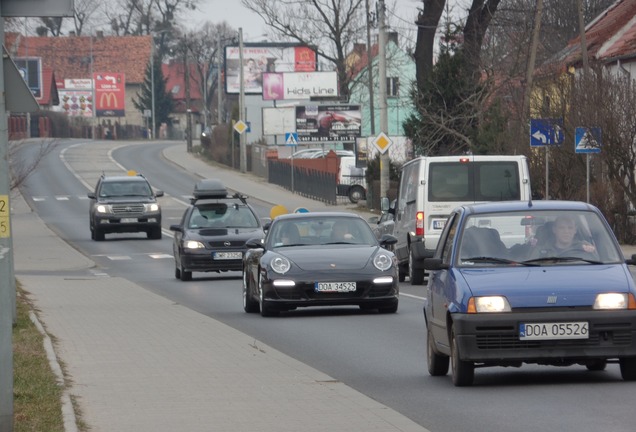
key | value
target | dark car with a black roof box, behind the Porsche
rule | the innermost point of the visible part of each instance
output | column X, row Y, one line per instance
column 213, row 230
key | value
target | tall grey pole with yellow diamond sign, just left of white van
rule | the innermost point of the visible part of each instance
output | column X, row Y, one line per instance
column 384, row 121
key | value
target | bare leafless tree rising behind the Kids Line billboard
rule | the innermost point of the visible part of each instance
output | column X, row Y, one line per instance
column 331, row 28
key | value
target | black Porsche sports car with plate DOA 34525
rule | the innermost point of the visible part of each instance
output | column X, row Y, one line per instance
column 319, row 259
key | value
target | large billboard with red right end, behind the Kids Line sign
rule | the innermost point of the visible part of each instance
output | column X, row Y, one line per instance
column 264, row 58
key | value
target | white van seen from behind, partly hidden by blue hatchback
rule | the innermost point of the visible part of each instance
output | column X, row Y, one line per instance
column 432, row 186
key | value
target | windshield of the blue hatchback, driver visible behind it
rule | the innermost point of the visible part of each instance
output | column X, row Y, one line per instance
column 536, row 238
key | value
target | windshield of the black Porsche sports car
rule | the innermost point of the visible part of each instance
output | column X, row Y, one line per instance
column 321, row 230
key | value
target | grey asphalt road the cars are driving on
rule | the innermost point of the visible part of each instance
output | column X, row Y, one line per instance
column 382, row 356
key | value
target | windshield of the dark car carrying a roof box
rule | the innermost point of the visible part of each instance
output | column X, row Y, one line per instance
column 222, row 215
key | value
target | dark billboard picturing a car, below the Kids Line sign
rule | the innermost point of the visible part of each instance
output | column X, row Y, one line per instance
column 324, row 123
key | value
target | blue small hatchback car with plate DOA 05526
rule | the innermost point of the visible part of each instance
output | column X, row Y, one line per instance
column 541, row 282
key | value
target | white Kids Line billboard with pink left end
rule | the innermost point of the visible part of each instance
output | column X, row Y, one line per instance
column 299, row 85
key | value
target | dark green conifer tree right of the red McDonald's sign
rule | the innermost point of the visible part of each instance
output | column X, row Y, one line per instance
column 163, row 99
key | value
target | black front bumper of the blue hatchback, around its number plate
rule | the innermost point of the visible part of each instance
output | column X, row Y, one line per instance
column 486, row 337
